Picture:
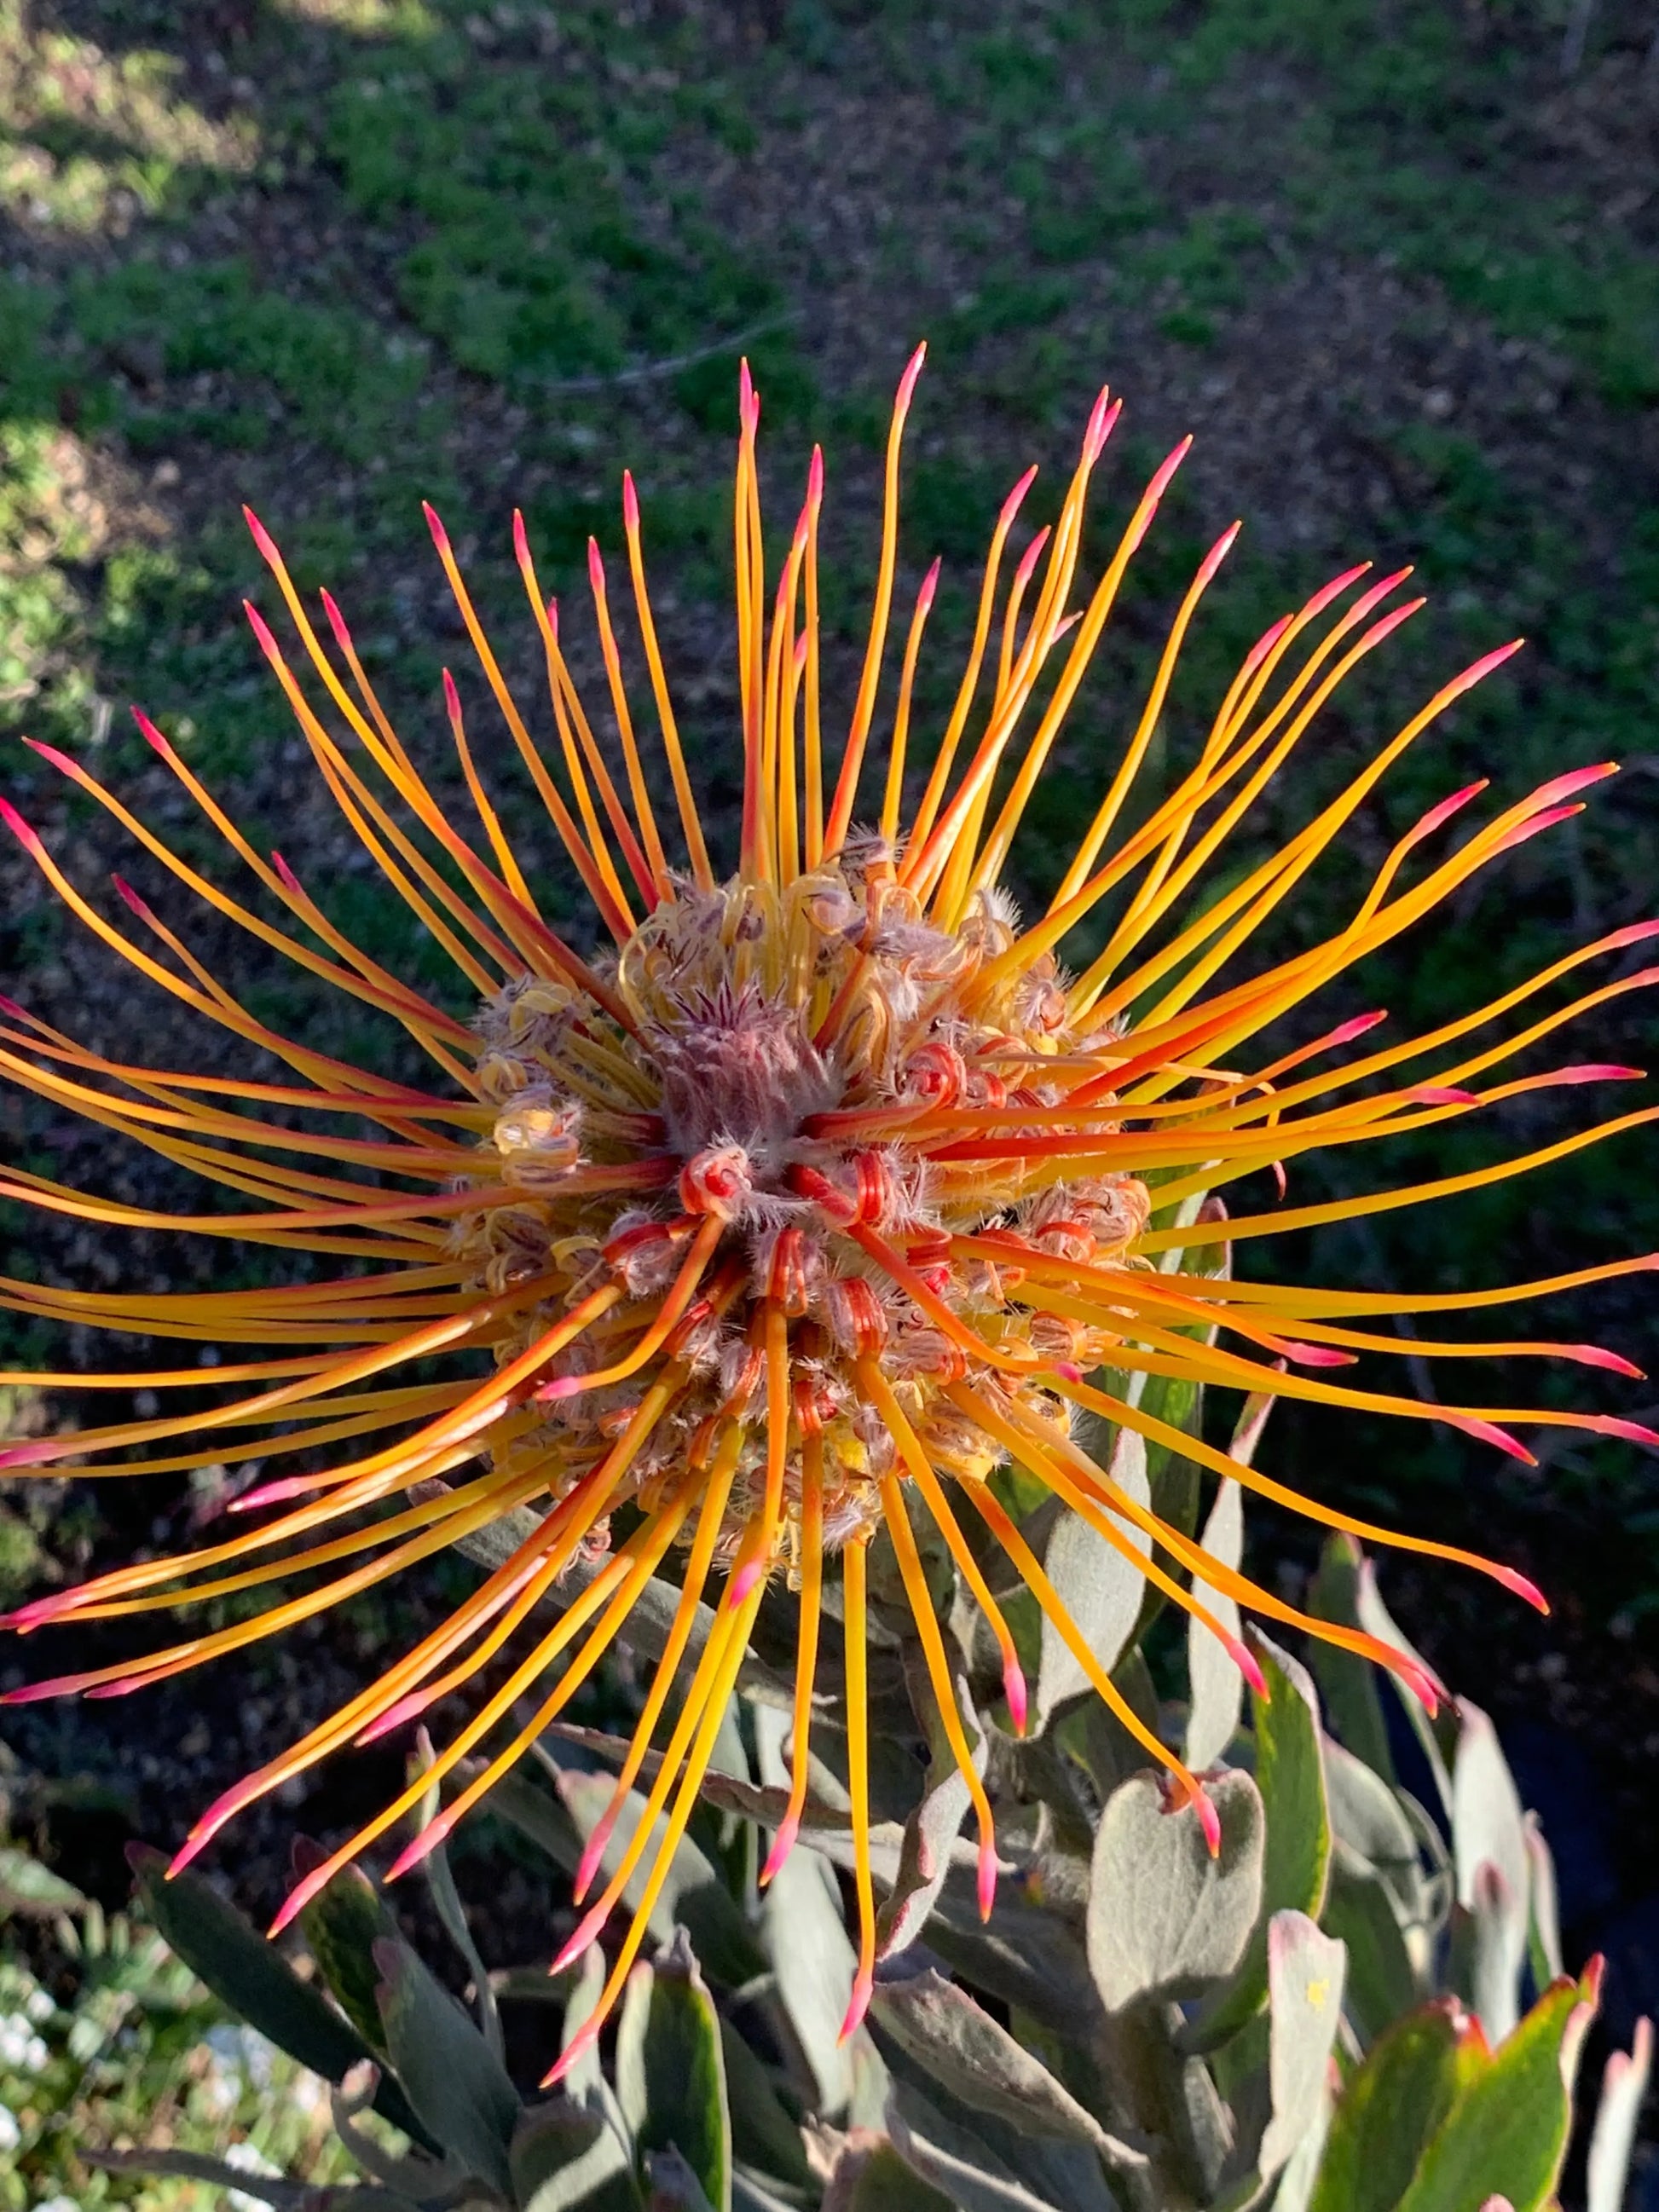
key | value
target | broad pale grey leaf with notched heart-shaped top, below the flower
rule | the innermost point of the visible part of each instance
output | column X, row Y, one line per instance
column 1165, row 1919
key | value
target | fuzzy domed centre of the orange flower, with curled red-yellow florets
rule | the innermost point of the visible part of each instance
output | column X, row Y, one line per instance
column 780, row 1118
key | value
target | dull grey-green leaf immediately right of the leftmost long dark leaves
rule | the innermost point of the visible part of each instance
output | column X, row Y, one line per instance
column 452, row 2078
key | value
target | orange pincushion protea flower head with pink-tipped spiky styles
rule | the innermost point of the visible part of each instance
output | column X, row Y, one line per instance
column 811, row 1202
